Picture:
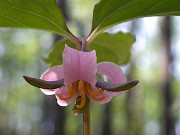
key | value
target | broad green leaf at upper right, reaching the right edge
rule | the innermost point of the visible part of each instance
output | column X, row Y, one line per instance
column 108, row 13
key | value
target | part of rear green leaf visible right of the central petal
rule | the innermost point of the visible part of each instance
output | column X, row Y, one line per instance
column 113, row 47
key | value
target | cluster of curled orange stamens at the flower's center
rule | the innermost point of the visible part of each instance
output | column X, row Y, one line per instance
column 85, row 90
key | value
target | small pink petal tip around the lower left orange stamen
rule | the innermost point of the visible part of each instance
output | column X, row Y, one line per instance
column 63, row 93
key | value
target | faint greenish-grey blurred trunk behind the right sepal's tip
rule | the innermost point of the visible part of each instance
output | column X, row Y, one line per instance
column 134, row 123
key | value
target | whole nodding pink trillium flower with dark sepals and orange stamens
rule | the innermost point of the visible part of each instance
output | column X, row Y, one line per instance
column 77, row 77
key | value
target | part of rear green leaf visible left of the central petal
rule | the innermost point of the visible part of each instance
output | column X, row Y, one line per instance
column 55, row 56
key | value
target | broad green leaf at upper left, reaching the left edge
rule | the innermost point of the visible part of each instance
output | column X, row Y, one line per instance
column 33, row 14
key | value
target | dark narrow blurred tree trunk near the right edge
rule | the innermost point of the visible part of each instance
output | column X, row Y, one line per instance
column 168, row 122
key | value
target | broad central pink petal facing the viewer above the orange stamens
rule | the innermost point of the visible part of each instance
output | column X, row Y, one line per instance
column 79, row 65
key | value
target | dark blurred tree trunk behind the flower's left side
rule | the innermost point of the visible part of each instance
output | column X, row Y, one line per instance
column 54, row 115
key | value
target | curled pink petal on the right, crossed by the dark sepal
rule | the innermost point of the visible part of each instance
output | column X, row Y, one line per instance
column 114, row 74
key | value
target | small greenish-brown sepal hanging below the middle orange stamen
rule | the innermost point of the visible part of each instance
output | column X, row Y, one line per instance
column 76, row 110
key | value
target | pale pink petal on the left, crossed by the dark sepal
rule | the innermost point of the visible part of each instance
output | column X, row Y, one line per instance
column 52, row 74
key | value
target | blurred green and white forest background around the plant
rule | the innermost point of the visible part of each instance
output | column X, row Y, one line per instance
column 152, row 108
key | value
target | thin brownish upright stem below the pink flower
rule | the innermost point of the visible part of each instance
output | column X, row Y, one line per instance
column 86, row 121
